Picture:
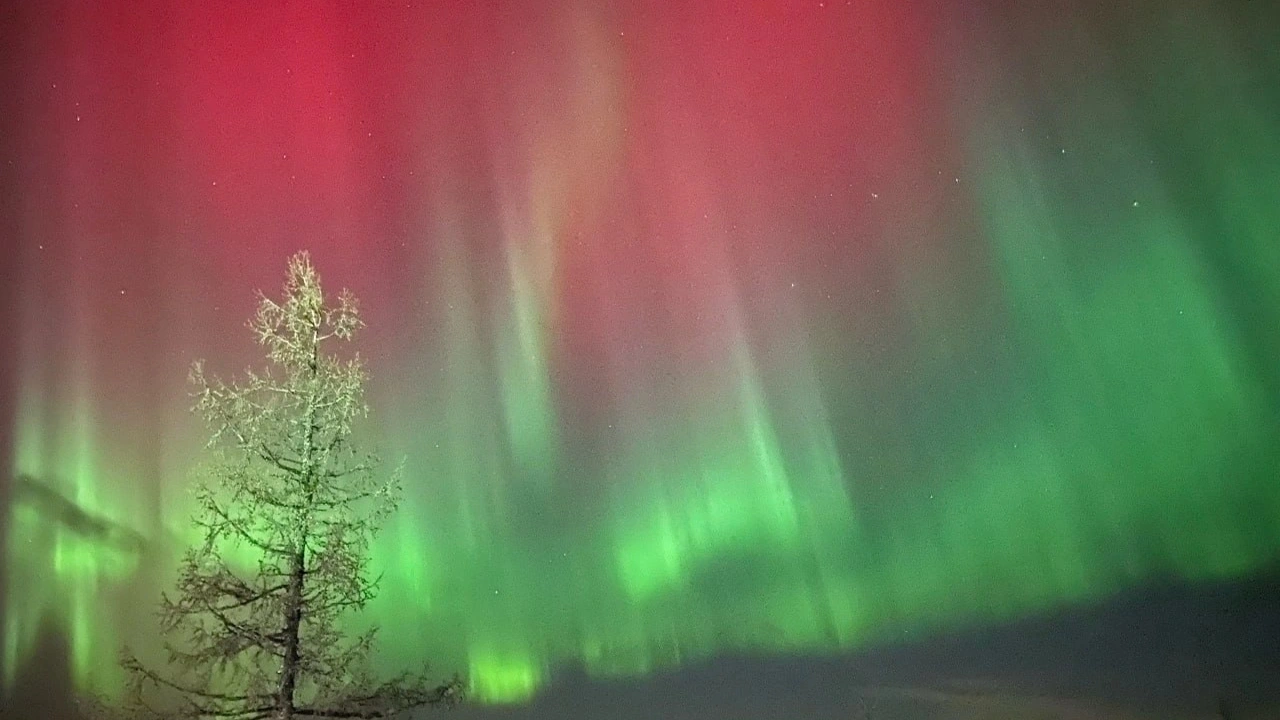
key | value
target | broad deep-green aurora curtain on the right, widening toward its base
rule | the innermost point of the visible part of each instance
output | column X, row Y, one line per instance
column 1141, row 398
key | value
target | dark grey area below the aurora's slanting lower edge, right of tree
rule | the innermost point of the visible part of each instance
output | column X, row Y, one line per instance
column 1173, row 653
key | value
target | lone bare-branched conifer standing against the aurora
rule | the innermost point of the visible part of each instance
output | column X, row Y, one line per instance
column 290, row 495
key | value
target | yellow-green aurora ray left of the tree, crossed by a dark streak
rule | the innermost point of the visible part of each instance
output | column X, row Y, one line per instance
column 71, row 545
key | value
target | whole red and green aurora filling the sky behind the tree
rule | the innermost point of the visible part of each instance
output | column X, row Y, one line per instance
column 703, row 329
